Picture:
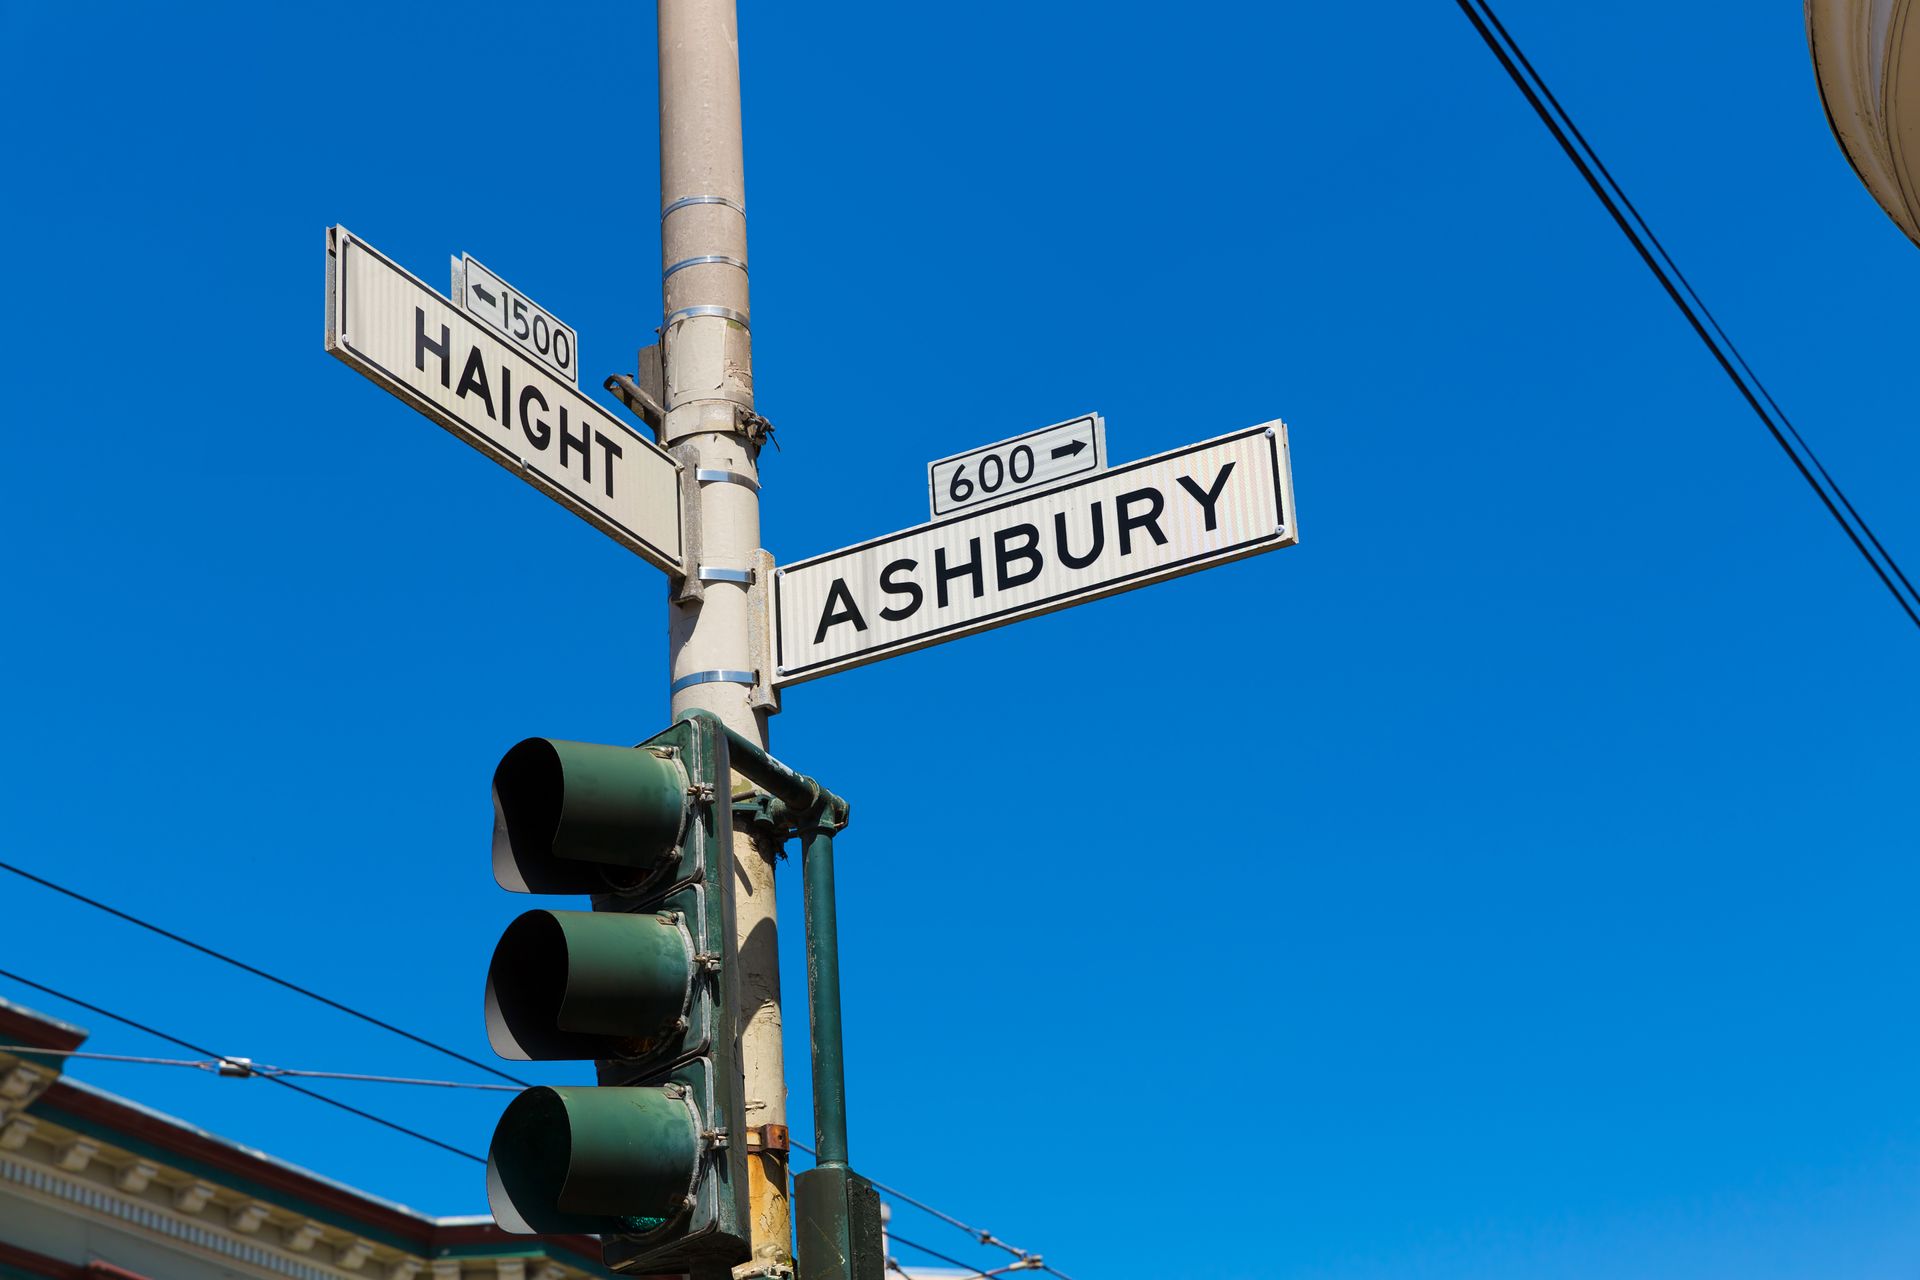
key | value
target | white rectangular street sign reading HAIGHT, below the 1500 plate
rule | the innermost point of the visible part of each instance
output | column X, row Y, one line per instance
column 402, row 335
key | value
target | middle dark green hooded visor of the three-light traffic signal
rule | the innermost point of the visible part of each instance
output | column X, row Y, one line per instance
column 588, row 985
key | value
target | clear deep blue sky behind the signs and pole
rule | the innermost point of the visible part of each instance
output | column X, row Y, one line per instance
column 1512, row 880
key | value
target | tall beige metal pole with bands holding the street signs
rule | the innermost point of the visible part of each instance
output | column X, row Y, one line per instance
column 709, row 425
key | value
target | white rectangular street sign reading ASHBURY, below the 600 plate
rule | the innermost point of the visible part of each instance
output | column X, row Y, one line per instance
column 1168, row 515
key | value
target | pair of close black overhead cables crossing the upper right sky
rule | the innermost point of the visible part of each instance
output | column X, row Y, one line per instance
column 1683, row 295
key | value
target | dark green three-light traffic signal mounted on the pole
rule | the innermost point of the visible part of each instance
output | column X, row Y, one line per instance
column 652, row 1160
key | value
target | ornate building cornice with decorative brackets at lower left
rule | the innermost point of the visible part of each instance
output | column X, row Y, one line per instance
column 103, row 1189
